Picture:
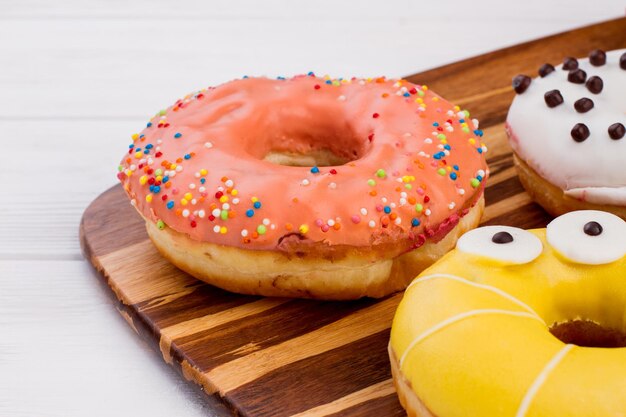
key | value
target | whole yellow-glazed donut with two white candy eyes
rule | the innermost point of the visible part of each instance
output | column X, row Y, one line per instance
column 509, row 324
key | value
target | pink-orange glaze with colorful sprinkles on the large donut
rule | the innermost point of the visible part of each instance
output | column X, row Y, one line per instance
column 402, row 183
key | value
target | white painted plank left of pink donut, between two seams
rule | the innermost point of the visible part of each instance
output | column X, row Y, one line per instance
column 51, row 171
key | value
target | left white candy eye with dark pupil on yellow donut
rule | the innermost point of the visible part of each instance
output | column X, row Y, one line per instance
column 502, row 243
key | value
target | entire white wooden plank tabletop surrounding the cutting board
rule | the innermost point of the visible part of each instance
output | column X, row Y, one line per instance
column 77, row 78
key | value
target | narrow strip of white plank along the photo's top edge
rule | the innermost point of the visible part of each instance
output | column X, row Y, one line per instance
column 302, row 9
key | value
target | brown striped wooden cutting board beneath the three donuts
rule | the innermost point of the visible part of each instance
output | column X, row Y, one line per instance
column 256, row 356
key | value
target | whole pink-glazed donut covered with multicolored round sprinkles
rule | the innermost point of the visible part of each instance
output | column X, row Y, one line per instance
column 308, row 186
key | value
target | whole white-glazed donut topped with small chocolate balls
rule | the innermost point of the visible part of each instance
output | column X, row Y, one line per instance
column 567, row 127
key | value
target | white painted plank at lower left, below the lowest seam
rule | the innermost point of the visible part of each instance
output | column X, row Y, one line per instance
column 66, row 352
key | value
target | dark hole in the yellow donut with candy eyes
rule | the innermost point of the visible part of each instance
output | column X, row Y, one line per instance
column 587, row 333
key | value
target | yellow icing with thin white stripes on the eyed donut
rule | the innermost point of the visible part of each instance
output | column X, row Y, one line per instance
column 490, row 354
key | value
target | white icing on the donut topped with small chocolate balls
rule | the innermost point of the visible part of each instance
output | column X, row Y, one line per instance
column 592, row 170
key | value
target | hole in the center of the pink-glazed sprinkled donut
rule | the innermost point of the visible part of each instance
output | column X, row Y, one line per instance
column 309, row 135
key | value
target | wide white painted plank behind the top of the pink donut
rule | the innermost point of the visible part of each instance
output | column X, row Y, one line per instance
column 91, row 66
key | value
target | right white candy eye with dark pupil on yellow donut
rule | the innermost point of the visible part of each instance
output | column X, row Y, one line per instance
column 588, row 237
